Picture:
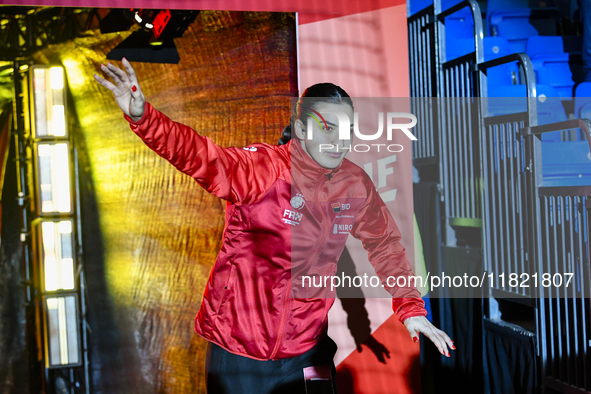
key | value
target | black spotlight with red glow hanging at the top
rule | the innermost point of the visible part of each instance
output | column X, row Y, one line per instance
column 154, row 43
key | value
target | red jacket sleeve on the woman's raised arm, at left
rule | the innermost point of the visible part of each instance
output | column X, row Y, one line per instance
column 238, row 175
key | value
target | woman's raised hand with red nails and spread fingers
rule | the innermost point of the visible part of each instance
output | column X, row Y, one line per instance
column 125, row 88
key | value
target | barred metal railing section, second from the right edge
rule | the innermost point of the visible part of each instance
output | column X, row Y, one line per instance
column 506, row 197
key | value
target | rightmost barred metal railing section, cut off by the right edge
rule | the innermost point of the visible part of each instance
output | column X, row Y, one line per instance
column 559, row 220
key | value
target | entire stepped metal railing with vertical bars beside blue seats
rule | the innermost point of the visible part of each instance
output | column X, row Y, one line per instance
column 491, row 176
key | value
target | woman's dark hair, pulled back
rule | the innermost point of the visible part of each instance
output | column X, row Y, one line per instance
column 320, row 93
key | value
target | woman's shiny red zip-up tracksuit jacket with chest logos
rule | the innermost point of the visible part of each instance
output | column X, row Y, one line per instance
column 284, row 220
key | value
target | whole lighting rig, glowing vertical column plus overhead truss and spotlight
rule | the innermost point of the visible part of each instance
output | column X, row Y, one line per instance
column 47, row 174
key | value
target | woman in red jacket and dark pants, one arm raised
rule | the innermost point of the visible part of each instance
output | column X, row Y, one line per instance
column 267, row 330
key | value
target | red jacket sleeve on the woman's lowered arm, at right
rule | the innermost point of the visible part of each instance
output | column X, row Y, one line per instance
column 380, row 235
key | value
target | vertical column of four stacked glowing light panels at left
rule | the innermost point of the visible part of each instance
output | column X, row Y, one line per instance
column 57, row 274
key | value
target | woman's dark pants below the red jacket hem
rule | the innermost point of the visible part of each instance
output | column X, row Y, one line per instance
column 229, row 373
